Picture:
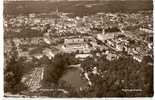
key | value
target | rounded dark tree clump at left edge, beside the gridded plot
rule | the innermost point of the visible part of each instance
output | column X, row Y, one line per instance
column 12, row 77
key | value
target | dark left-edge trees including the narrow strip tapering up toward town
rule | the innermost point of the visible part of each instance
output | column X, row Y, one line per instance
column 13, row 72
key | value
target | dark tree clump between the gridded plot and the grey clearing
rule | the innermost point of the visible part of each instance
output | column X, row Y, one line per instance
column 57, row 67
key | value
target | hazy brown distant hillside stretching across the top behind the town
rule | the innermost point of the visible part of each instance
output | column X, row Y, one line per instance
column 78, row 8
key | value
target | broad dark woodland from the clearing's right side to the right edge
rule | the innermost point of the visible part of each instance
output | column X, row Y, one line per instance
column 124, row 73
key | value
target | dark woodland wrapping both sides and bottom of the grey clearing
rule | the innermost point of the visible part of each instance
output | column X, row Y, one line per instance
column 113, row 77
